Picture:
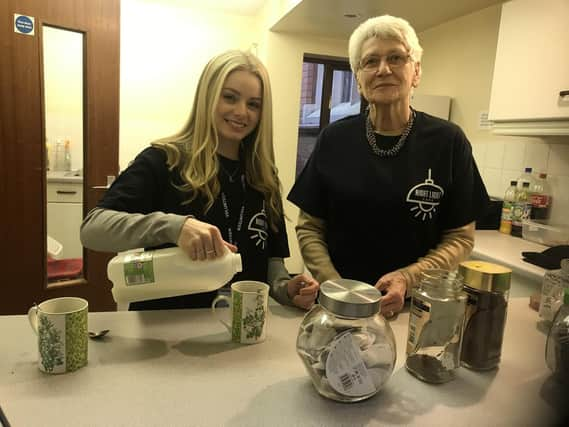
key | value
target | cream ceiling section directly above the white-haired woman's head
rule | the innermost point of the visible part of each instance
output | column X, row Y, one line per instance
column 326, row 18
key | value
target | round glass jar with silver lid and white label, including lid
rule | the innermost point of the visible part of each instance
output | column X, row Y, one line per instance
column 346, row 345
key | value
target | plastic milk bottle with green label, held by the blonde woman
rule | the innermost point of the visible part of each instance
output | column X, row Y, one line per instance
column 170, row 272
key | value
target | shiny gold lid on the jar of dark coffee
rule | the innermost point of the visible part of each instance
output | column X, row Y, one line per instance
column 485, row 276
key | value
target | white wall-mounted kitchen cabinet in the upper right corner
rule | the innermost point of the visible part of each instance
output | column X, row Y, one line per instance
column 531, row 70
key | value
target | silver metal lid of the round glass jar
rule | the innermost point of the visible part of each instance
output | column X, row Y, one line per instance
column 349, row 298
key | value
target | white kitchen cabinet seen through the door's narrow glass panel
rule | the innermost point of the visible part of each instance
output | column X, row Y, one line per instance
column 64, row 216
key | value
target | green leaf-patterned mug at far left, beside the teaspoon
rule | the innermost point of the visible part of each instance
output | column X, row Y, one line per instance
column 61, row 327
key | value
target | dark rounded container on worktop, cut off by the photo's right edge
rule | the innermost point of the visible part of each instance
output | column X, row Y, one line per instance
column 557, row 345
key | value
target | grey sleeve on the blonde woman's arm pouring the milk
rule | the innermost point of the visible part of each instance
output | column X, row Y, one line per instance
column 108, row 230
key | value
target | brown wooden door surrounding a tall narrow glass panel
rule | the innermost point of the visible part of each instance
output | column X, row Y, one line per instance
column 23, row 251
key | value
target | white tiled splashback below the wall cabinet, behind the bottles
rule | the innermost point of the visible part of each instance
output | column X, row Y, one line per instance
column 500, row 162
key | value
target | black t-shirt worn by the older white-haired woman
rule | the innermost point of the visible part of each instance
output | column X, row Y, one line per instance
column 383, row 213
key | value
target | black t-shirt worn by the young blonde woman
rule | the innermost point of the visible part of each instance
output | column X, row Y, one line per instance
column 147, row 186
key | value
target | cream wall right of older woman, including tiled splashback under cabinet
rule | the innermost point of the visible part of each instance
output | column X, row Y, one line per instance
column 459, row 62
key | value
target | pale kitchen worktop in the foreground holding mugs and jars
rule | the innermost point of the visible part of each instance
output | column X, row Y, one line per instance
column 179, row 368
